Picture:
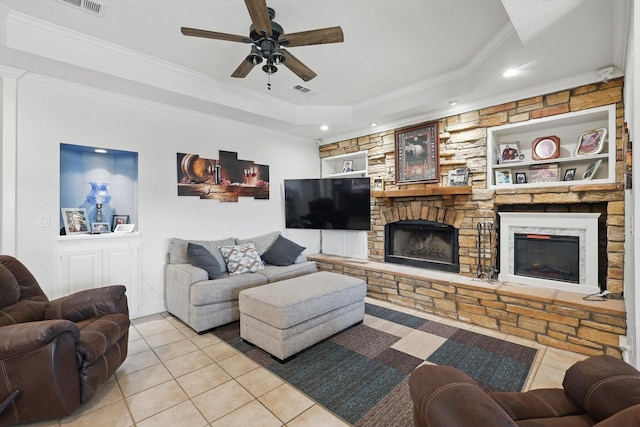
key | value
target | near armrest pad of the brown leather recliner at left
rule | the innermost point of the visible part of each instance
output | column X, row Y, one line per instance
column 28, row 337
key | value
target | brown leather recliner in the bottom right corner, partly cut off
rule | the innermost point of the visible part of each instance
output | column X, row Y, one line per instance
column 600, row 391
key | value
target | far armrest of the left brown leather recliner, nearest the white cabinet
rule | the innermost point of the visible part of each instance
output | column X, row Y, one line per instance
column 88, row 304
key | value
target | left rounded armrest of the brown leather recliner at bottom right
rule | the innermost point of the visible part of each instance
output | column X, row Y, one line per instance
column 444, row 397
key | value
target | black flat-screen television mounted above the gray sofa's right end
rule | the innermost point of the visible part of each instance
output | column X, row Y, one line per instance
column 328, row 204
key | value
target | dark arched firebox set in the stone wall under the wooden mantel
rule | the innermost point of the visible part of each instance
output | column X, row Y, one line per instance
column 424, row 244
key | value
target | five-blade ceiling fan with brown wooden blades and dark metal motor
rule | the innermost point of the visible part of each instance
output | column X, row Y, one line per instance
column 267, row 39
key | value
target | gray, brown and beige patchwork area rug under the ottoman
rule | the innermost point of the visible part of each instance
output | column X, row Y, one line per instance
column 361, row 374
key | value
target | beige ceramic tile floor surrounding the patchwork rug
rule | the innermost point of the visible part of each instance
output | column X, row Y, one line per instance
column 173, row 376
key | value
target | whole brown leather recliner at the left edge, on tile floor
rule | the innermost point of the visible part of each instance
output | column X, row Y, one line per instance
column 56, row 354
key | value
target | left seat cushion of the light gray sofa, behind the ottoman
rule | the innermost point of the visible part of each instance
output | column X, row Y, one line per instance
column 224, row 289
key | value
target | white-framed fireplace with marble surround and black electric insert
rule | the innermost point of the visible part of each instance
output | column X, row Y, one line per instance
column 550, row 250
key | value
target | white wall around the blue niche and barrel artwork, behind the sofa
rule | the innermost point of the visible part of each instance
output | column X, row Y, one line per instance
column 51, row 112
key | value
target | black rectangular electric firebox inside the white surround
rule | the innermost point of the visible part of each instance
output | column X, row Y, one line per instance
column 547, row 256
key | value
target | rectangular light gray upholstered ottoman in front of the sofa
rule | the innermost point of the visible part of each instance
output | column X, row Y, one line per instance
column 285, row 317
